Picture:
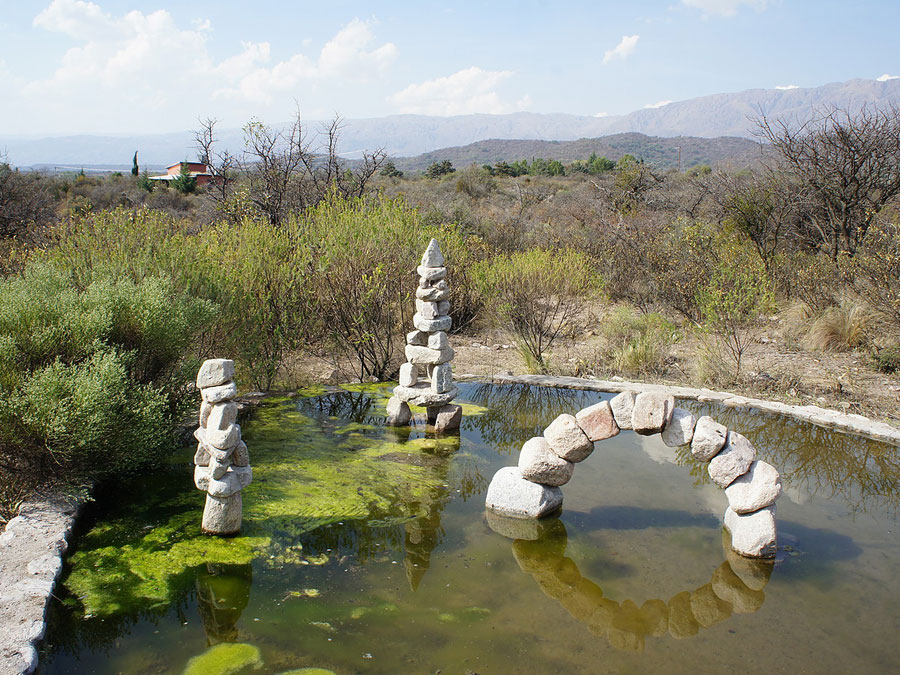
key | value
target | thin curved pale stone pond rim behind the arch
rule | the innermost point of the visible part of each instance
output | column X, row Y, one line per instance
column 823, row 417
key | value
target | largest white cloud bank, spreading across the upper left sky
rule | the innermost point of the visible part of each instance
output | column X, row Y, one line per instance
column 148, row 62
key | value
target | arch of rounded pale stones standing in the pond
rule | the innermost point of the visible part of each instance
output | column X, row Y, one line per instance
column 532, row 489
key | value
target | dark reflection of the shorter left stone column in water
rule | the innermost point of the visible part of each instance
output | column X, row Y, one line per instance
column 223, row 592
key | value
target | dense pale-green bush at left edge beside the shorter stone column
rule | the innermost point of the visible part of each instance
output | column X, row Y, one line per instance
column 91, row 377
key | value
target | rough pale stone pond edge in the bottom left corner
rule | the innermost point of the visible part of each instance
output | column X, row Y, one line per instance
column 32, row 548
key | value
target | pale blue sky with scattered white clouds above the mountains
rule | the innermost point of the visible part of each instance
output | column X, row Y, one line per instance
column 117, row 67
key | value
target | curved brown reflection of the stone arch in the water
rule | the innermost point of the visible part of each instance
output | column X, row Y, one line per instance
column 539, row 547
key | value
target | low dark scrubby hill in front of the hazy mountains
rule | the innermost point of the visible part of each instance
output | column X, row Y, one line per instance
column 660, row 152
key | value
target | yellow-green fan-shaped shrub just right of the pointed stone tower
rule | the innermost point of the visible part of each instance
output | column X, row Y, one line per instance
column 536, row 293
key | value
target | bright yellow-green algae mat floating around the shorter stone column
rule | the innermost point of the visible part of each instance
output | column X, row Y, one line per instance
column 308, row 472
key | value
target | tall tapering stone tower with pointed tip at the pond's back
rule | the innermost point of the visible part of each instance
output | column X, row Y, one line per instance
column 426, row 379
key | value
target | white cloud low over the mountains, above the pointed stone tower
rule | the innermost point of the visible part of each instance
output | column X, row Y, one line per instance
column 465, row 92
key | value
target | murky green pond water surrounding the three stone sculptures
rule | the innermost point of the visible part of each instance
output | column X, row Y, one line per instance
column 366, row 549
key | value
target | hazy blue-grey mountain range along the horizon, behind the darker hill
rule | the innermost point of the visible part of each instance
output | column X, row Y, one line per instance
column 709, row 117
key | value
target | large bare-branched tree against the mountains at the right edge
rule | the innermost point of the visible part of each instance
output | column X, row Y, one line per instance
column 848, row 165
